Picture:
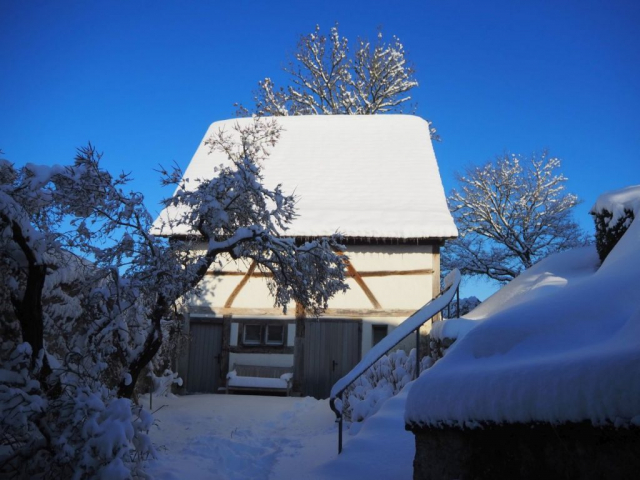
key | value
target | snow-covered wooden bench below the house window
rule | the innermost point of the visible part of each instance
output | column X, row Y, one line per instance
column 260, row 378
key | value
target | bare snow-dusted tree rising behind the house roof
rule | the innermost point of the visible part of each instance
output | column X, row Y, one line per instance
column 326, row 79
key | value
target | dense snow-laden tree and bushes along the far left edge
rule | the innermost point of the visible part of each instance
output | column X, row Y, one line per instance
column 58, row 415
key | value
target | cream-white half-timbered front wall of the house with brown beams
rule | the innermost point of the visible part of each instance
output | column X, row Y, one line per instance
column 398, row 279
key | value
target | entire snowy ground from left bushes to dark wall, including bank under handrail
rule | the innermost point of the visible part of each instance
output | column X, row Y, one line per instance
column 266, row 437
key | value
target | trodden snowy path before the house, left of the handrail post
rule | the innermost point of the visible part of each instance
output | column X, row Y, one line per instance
column 237, row 436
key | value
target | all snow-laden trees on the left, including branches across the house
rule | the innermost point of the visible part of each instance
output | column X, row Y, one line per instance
column 89, row 293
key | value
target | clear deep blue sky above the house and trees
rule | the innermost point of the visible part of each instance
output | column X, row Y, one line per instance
column 143, row 80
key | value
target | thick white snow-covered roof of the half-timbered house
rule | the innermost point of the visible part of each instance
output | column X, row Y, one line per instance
column 371, row 176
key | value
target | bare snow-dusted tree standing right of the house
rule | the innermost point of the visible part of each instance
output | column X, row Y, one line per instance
column 510, row 213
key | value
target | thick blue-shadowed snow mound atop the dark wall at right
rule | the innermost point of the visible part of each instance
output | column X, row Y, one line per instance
column 560, row 343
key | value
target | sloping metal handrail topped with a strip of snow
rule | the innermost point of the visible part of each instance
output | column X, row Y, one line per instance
column 426, row 313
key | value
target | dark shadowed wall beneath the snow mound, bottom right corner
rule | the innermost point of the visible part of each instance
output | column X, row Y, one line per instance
column 527, row 451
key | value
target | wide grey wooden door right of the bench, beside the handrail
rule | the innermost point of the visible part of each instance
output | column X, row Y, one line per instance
column 331, row 350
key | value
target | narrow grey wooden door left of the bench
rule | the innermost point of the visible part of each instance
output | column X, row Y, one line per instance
column 205, row 350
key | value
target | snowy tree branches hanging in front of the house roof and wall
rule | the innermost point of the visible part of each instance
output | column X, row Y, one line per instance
column 236, row 215
